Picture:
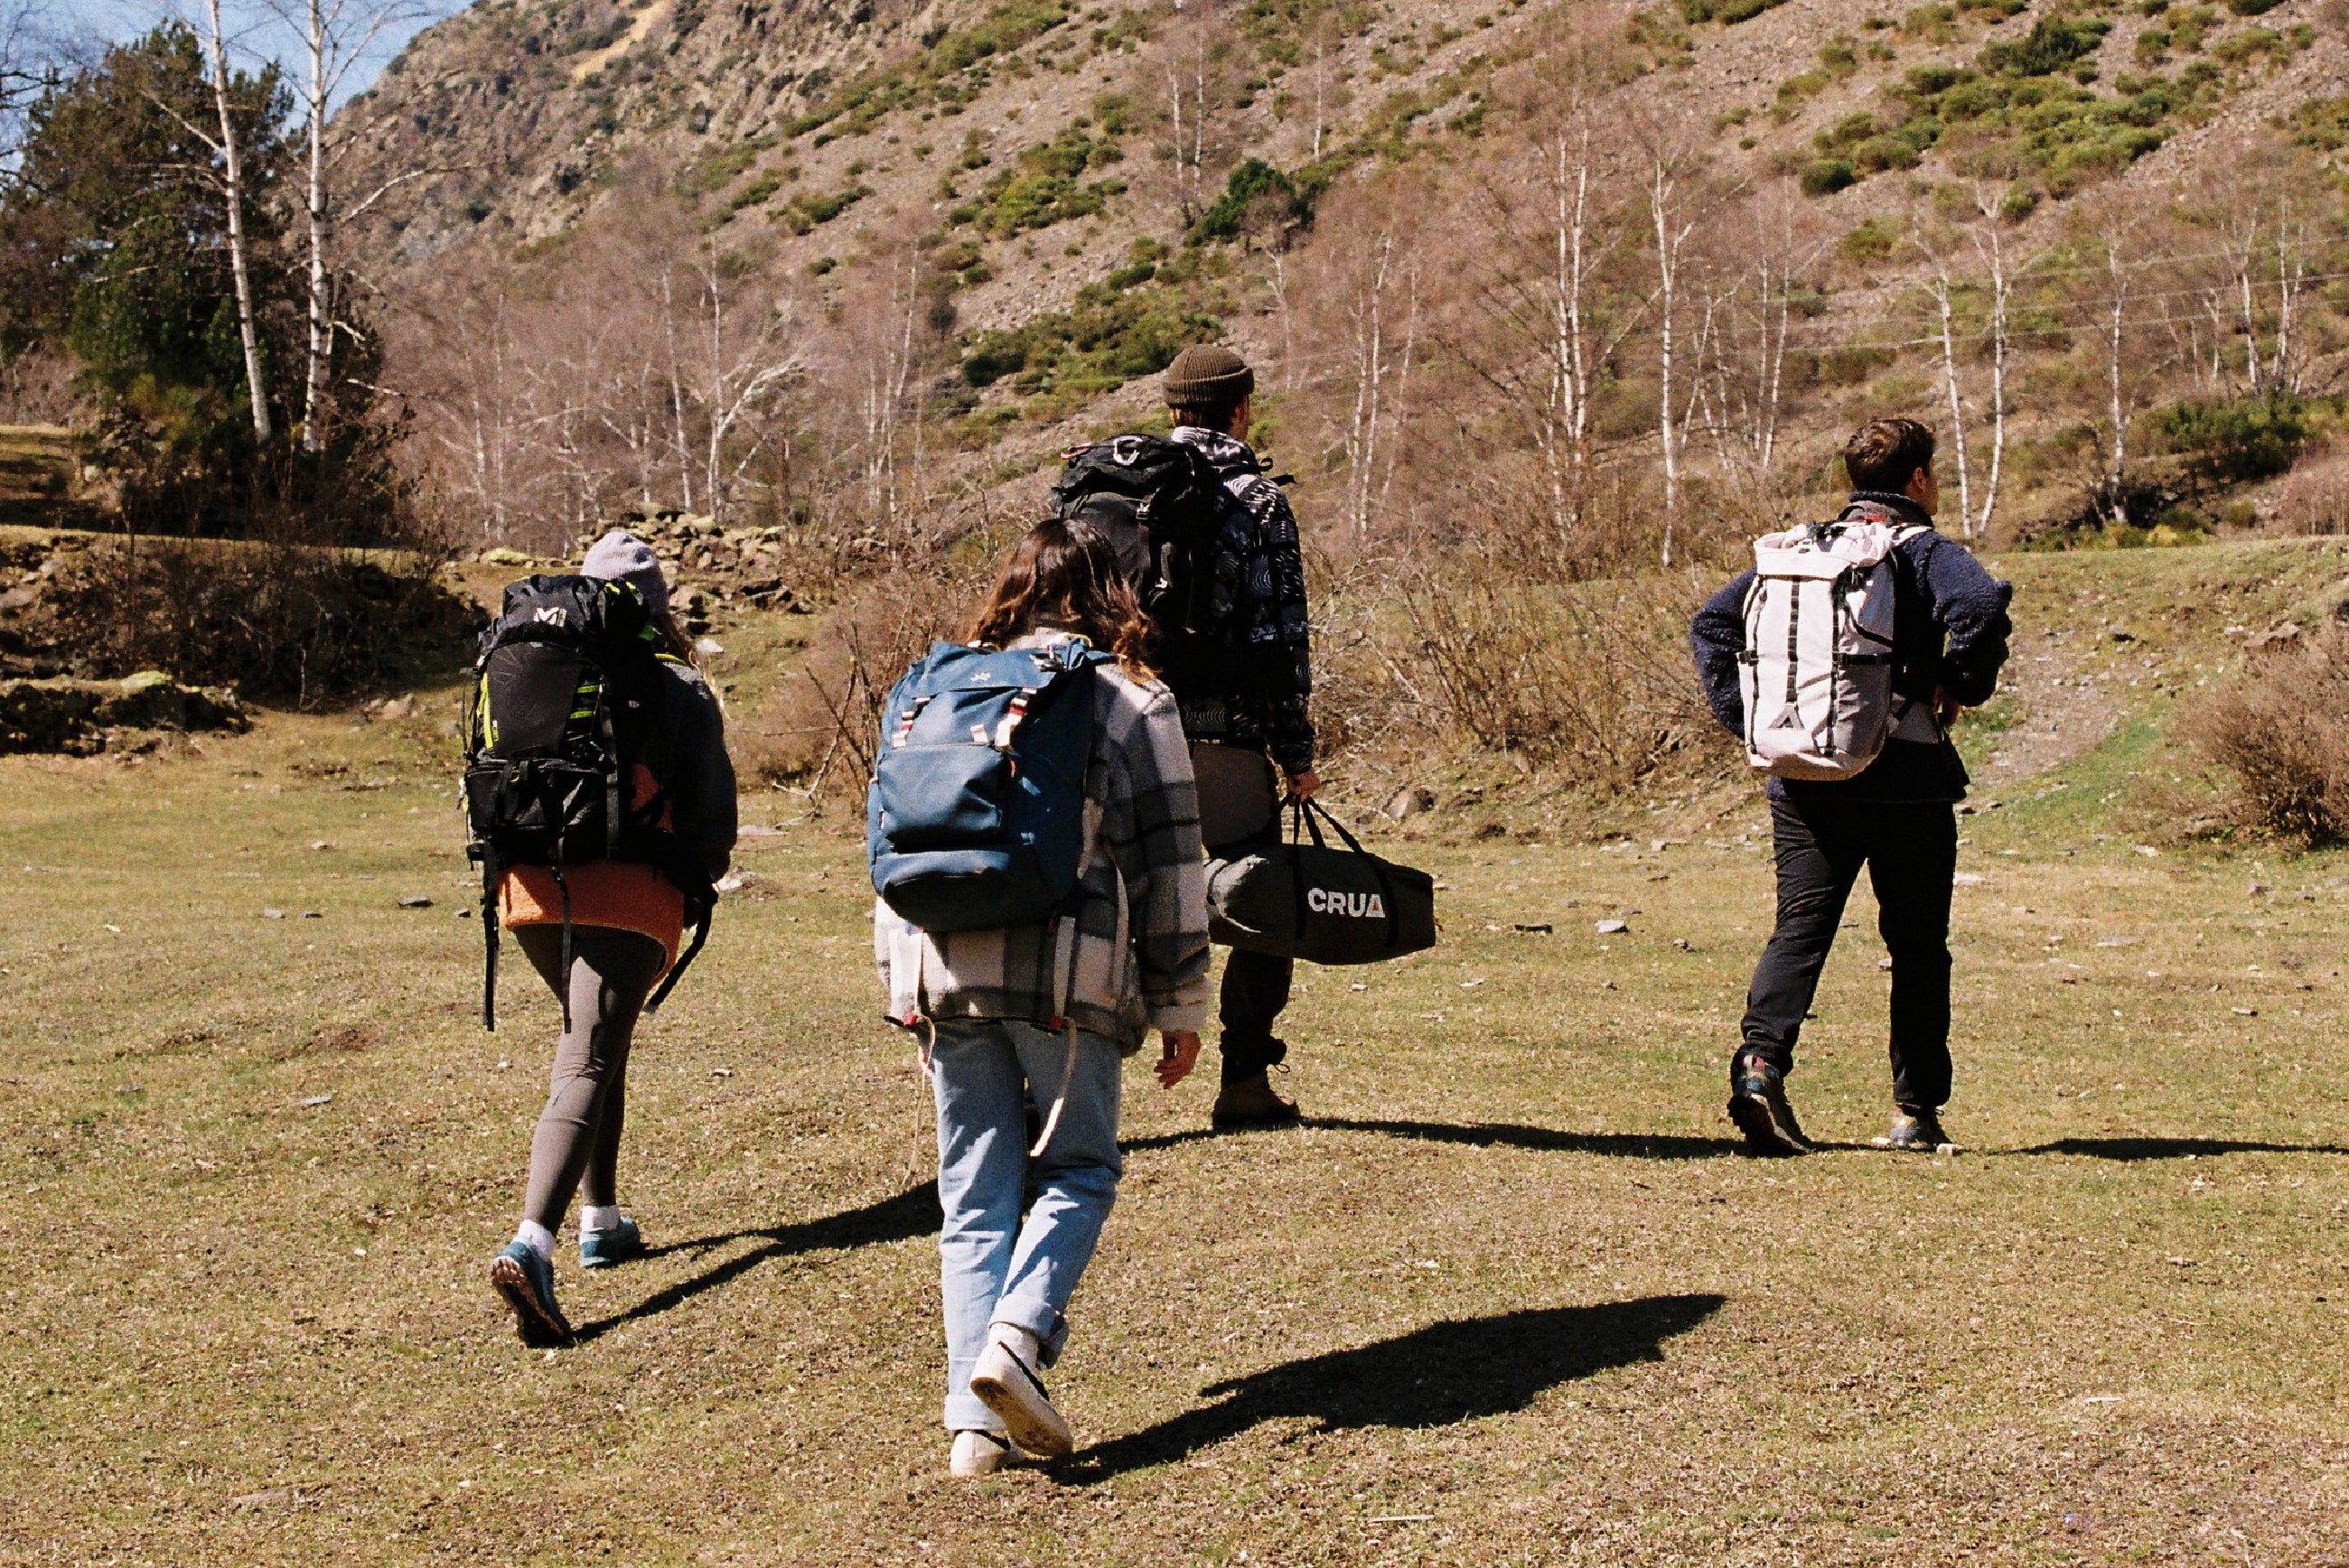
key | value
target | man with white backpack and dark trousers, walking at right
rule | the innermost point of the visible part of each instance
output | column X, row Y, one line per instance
column 1840, row 663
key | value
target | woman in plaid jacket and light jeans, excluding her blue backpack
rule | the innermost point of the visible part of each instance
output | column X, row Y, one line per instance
column 1138, row 964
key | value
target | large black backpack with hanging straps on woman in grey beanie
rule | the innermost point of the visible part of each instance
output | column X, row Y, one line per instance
column 565, row 708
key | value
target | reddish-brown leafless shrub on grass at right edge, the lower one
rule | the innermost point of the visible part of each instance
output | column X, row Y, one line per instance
column 2284, row 736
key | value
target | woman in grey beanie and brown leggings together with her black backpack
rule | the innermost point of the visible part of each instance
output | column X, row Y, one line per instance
column 607, row 931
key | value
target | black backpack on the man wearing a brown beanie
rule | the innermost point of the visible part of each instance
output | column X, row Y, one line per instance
column 1159, row 503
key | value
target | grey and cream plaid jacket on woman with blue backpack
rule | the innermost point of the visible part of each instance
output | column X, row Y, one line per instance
column 1136, row 954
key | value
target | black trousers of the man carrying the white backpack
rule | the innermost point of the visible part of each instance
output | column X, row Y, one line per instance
column 1911, row 856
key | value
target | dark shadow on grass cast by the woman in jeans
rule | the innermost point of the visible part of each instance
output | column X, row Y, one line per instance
column 1425, row 1379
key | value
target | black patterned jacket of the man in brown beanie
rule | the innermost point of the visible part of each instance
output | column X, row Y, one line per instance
column 1260, row 616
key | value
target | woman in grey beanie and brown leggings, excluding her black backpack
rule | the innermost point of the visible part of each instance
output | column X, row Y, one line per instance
column 603, row 935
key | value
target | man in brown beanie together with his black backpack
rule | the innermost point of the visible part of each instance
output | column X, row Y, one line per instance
column 1211, row 546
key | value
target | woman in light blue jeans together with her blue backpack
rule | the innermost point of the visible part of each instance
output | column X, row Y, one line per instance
column 1025, row 1025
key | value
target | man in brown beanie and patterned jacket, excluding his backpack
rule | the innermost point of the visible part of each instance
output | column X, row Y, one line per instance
column 1253, row 712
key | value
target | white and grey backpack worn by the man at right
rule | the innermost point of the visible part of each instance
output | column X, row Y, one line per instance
column 1819, row 651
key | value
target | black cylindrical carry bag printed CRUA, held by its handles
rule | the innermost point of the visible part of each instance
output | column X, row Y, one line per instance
column 1319, row 903
